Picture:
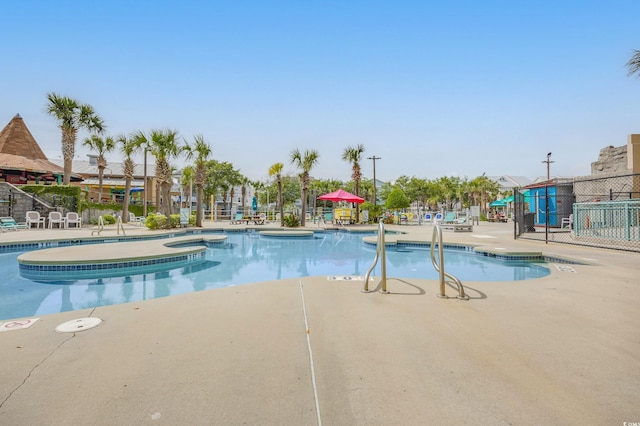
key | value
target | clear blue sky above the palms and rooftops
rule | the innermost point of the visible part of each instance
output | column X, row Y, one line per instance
column 456, row 88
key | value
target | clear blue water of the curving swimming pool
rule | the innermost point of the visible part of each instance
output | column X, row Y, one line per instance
column 246, row 257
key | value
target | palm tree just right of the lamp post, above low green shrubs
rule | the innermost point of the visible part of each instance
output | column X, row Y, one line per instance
column 164, row 146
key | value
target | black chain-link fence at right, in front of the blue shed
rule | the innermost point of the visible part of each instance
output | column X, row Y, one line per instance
column 598, row 212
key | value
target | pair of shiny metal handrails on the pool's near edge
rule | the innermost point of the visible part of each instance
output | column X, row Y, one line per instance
column 381, row 254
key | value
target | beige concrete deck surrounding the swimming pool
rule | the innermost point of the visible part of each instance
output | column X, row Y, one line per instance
column 563, row 349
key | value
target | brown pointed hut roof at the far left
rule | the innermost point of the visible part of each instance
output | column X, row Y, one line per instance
column 20, row 151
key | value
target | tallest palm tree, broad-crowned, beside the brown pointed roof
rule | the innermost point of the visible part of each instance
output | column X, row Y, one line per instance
column 72, row 117
